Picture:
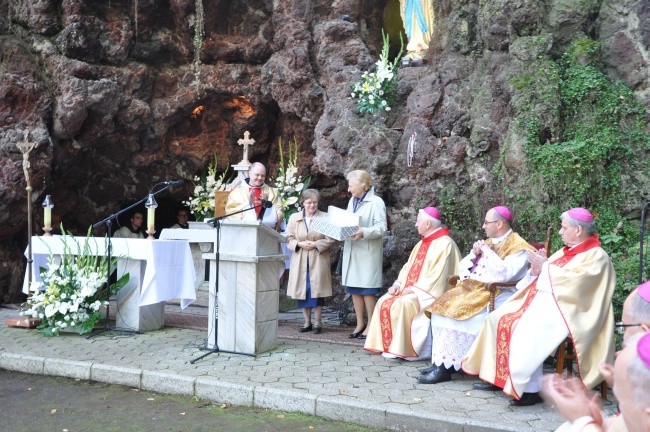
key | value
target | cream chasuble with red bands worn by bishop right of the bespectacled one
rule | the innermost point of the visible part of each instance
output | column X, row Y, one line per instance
column 581, row 282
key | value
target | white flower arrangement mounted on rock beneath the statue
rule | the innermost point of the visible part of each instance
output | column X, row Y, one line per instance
column 375, row 91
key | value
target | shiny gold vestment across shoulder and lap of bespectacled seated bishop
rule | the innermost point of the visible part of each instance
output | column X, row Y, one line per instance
column 470, row 297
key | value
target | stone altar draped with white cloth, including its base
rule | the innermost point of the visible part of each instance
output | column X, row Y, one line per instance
column 159, row 270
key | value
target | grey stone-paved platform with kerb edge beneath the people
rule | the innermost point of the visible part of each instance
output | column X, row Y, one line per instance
column 332, row 380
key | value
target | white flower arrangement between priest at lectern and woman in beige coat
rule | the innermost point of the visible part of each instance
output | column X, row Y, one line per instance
column 288, row 182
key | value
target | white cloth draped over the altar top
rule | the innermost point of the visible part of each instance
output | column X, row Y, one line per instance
column 169, row 271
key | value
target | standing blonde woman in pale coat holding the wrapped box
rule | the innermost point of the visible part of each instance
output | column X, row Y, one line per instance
column 363, row 251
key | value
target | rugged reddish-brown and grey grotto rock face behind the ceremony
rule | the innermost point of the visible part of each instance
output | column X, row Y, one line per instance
column 117, row 95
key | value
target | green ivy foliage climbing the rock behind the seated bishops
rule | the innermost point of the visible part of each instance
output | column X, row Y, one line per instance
column 600, row 140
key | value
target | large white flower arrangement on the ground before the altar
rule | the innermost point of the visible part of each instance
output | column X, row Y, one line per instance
column 74, row 288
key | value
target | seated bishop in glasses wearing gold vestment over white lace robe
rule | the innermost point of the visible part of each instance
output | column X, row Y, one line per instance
column 457, row 316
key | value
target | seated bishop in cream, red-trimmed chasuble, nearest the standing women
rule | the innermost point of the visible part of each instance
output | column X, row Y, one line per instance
column 399, row 327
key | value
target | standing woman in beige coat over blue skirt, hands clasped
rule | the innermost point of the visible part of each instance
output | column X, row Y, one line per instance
column 310, row 277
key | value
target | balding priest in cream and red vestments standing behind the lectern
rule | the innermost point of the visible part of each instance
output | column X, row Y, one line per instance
column 250, row 193
